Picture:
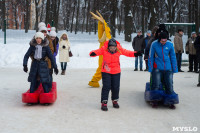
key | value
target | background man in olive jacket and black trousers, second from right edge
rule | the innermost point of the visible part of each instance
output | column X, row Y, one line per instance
column 190, row 49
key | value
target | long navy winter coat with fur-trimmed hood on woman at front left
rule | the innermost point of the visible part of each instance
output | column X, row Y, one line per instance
column 39, row 68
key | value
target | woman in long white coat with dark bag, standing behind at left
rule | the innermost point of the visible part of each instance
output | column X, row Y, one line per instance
column 64, row 47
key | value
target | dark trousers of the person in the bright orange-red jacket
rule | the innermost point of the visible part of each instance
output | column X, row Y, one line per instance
column 110, row 82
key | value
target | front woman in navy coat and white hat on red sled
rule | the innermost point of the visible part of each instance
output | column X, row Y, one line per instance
column 39, row 68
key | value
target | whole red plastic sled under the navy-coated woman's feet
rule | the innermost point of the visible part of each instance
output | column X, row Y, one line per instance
column 39, row 96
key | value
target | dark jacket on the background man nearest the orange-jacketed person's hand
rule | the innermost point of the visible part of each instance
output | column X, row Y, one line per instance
column 139, row 43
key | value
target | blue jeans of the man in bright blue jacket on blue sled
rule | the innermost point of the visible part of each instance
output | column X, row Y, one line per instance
column 167, row 79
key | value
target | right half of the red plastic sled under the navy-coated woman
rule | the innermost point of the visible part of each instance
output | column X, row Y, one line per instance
column 48, row 97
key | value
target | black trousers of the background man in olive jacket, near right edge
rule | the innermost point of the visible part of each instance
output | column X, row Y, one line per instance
column 193, row 62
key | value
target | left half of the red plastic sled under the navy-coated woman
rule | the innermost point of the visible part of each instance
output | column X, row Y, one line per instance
column 28, row 97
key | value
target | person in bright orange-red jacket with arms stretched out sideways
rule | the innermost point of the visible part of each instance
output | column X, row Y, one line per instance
column 111, row 71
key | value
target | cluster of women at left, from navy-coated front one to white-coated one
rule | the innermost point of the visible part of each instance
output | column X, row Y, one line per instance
column 43, row 50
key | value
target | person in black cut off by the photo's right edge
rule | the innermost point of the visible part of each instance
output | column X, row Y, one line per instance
column 197, row 46
